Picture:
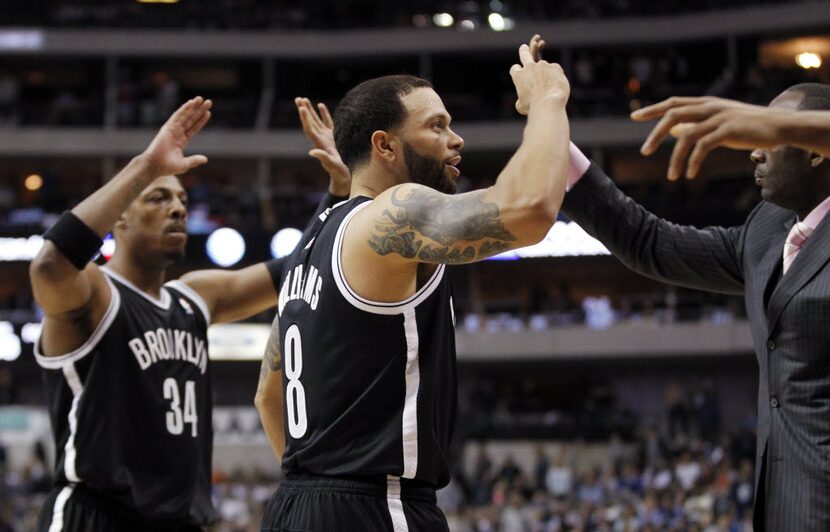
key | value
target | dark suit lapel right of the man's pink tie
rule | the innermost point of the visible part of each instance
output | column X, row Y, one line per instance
column 812, row 257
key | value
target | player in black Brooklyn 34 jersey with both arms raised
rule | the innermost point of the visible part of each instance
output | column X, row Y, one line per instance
column 125, row 354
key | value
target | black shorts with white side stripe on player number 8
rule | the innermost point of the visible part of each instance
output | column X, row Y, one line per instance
column 309, row 503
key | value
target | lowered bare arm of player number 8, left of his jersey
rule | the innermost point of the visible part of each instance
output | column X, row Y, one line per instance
column 269, row 399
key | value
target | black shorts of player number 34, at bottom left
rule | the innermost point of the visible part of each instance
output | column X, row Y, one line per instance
column 78, row 509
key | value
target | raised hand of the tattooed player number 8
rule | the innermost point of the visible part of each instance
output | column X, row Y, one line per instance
column 536, row 79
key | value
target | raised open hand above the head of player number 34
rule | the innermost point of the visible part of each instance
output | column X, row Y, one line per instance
column 165, row 154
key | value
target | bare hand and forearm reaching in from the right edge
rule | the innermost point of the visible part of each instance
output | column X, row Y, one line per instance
column 702, row 124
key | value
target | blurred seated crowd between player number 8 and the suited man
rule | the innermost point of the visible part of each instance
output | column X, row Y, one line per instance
column 686, row 484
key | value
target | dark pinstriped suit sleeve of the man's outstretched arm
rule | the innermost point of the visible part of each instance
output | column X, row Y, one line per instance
column 705, row 259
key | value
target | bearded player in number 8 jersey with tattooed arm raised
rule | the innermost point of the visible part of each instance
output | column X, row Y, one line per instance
column 365, row 310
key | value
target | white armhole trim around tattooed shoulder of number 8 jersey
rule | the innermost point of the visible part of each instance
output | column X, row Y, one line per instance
column 375, row 307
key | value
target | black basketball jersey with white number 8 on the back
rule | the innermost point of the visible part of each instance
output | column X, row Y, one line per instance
column 370, row 388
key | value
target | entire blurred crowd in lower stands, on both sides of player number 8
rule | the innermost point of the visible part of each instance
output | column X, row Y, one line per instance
column 686, row 475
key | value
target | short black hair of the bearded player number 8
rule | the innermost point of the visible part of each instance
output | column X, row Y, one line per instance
column 370, row 106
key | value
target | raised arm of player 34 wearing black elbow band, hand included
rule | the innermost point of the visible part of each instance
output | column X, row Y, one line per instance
column 75, row 296
